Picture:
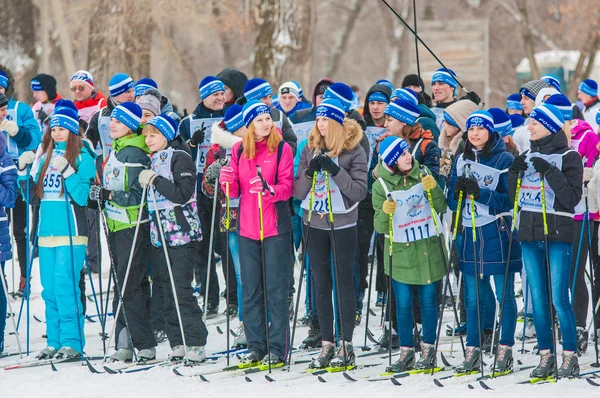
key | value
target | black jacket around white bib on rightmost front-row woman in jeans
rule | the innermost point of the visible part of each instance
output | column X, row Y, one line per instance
column 567, row 185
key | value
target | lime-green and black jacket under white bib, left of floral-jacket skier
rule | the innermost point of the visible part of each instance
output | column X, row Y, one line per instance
column 131, row 149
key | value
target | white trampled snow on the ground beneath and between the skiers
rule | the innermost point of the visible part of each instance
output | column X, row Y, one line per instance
column 74, row 380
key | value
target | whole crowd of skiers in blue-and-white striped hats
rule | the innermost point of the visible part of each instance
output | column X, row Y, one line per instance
column 258, row 176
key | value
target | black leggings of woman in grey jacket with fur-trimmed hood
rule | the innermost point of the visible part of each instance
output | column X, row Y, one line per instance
column 320, row 256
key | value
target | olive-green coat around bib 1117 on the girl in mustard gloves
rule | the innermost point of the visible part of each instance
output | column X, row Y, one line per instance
column 415, row 263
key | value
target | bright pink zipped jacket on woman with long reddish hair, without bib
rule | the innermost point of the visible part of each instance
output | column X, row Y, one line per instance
column 245, row 170
